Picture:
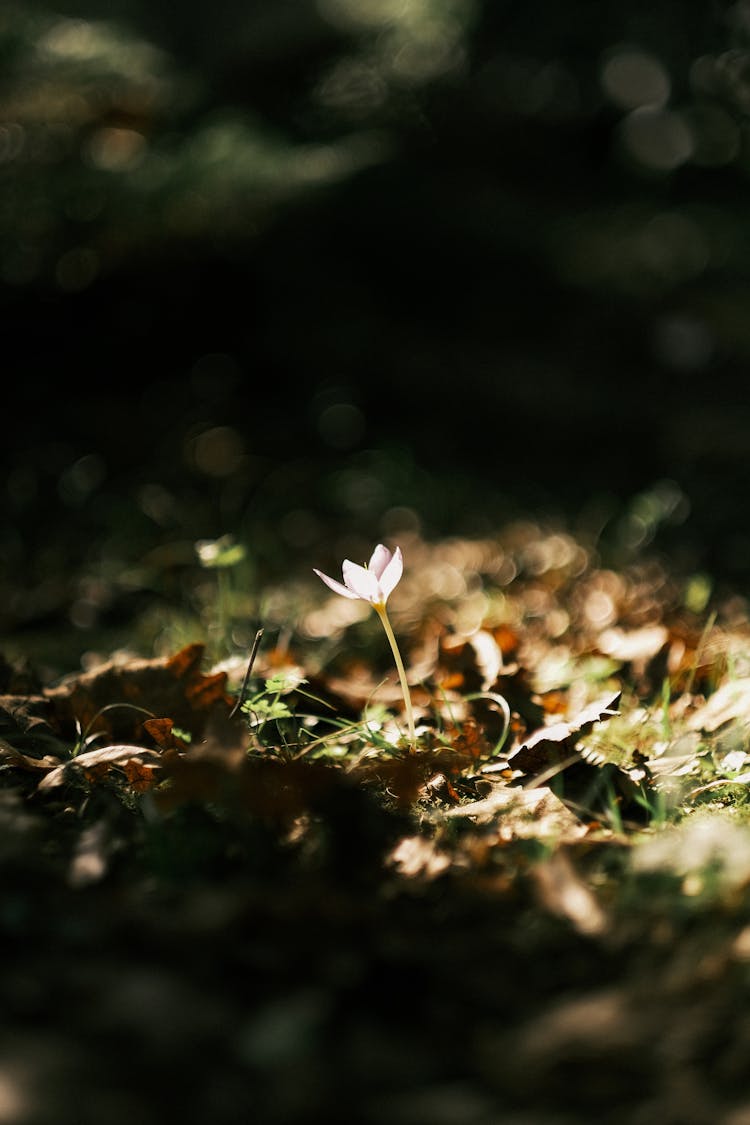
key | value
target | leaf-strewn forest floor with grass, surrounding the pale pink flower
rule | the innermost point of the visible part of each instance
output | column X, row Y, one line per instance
column 250, row 898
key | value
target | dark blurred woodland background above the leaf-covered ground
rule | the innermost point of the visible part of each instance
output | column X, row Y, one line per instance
column 302, row 272
